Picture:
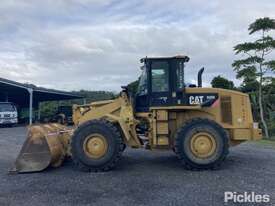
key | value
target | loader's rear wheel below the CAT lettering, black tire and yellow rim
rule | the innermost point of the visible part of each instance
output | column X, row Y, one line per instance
column 201, row 144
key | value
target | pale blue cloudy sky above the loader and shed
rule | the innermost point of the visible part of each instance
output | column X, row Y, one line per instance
column 97, row 44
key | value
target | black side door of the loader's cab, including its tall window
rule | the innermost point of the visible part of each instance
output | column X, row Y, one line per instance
column 160, row 83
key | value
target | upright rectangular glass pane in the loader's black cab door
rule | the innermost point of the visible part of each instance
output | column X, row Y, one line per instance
column 160, row 80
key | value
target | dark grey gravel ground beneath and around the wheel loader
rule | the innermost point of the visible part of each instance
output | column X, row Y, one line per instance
column 141, row 178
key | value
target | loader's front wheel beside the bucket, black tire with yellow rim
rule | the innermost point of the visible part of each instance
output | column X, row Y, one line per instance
column 96, row 146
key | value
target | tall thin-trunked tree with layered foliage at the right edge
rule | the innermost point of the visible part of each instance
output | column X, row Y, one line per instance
column 256, row 60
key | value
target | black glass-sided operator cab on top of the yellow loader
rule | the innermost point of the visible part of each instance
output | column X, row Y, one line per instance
column 161, row 82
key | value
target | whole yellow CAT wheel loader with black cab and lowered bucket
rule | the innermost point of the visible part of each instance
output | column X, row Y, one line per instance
column 198, row 124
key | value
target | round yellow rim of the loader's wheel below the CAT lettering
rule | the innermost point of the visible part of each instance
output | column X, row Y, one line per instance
column 203, row 145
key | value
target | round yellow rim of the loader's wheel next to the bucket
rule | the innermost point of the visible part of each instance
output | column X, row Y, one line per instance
column 95, row 146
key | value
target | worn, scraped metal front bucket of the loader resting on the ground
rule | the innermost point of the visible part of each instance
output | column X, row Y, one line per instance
column 46, row 145
